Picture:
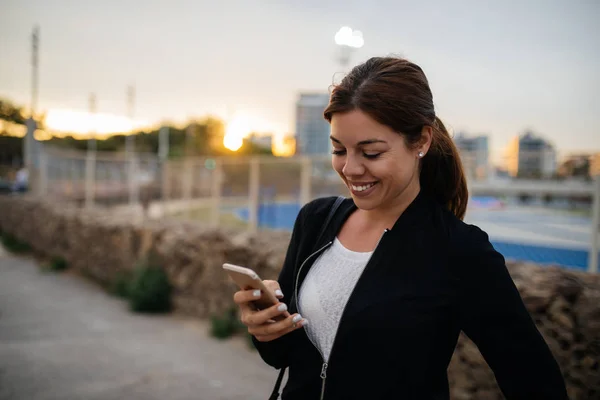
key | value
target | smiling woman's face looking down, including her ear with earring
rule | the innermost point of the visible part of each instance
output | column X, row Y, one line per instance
column 374, row 161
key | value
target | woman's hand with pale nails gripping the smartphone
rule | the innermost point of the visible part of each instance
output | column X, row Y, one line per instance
column 261, row 324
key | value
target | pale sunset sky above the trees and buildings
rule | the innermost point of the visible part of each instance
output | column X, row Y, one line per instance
column 495, row 68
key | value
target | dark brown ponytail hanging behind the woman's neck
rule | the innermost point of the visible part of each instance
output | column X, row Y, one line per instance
column 442, row 174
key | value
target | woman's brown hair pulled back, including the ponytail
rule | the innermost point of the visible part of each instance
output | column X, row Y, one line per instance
column 395, row 93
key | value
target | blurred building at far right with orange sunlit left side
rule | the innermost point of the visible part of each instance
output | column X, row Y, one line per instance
column 530, row 156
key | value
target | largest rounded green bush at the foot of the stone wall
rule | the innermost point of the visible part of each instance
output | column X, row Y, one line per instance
column 150, row 289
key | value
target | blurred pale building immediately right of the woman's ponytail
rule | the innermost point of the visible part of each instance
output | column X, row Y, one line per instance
column 474, row 153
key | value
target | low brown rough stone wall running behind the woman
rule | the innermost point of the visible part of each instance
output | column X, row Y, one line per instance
column 565, row 304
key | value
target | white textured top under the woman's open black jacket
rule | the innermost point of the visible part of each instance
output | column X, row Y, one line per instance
column 325, row 292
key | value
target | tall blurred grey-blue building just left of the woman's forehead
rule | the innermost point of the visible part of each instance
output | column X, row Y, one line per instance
column 312, row 130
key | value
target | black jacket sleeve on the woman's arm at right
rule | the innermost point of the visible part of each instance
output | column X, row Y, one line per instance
column 494, row 317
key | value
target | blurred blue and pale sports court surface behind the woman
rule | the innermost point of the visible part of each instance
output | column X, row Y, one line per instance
column 542, row 236
